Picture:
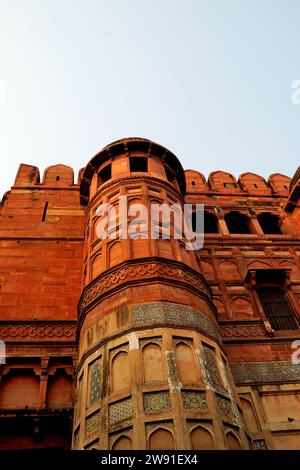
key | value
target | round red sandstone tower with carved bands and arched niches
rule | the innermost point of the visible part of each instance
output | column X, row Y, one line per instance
column 152, row 373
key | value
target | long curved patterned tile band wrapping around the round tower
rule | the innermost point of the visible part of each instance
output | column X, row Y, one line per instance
column 169, row 313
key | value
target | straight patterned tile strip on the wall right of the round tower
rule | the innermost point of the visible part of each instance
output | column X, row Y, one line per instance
column 265, row 372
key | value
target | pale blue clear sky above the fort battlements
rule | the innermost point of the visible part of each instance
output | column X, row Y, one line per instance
column 209, row 79
